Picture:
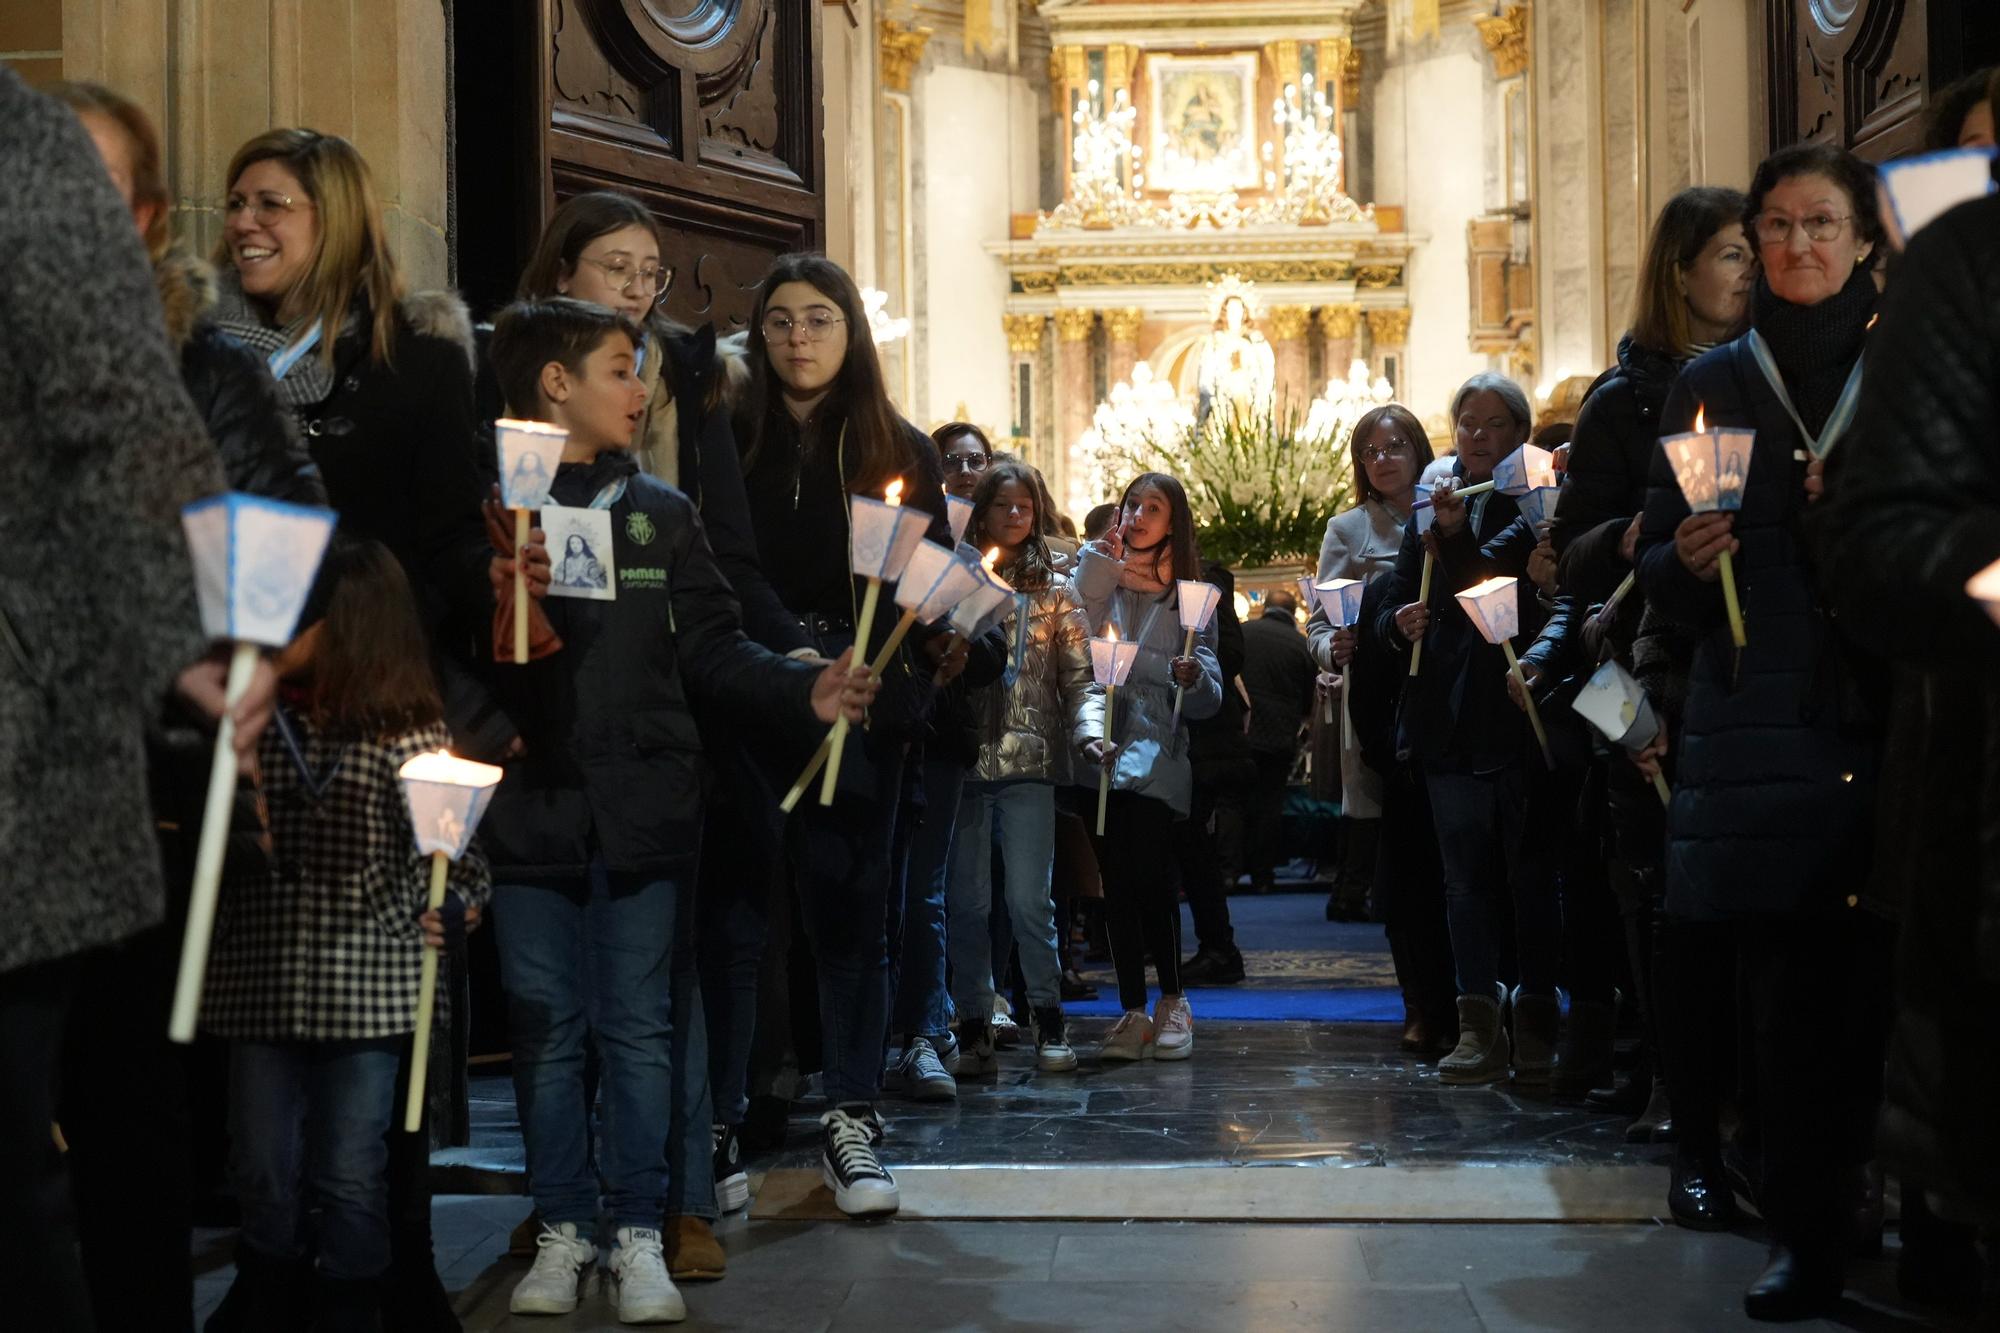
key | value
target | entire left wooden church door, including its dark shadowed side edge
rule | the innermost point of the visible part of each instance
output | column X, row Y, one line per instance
column 709, row 111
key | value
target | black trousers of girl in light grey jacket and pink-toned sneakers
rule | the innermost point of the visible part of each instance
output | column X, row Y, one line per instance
column 1141, row 894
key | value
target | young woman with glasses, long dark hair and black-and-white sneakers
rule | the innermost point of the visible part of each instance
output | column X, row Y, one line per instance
column 819, row 429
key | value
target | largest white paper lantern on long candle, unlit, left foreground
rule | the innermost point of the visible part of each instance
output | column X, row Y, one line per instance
column 255, row 561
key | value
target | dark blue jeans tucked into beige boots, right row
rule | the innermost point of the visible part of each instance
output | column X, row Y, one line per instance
column 1493, row 848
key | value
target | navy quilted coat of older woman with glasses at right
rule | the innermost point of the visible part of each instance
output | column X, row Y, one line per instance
column 1777, row 750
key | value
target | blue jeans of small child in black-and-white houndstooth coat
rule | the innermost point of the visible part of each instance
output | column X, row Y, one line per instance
column 309, row 1120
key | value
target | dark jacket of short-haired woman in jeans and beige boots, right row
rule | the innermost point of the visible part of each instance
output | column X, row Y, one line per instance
column 1457, row 714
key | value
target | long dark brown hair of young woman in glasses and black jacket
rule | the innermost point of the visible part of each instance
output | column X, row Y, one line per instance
column 859, row 397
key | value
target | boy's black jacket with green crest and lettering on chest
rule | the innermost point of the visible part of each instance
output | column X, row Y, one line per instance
column 613, row 758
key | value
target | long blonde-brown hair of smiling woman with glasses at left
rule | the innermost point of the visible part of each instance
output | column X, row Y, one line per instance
column 353, row 255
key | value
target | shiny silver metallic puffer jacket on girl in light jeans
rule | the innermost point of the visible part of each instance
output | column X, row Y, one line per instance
column 1031, row 732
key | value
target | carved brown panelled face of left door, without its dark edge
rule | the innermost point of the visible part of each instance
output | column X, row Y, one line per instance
column 709, row 111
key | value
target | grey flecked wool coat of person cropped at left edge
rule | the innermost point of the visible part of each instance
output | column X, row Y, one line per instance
column 99, row 453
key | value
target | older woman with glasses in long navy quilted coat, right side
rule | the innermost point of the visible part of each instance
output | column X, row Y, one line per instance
column 1773, row 808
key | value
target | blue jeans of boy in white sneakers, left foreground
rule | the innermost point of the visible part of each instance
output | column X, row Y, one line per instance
column 593, row 958
